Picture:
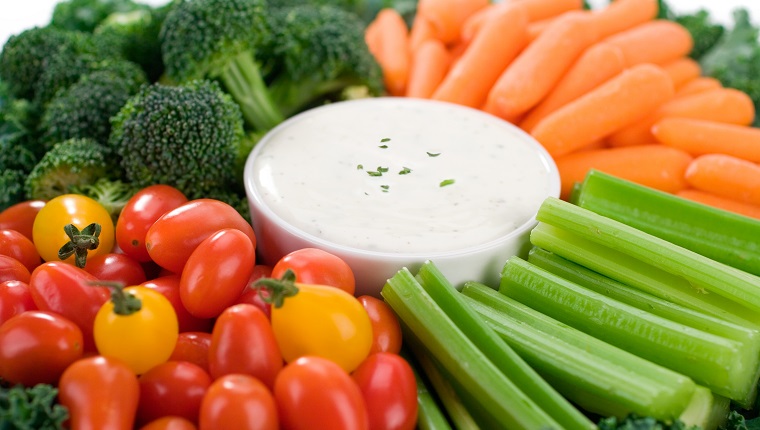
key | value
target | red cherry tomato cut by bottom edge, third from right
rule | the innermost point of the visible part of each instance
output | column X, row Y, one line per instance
column 238, row 402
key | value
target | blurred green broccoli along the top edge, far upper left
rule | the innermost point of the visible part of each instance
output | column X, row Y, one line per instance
column 85, row 15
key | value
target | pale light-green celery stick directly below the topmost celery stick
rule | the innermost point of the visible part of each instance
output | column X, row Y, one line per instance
column 700, row 271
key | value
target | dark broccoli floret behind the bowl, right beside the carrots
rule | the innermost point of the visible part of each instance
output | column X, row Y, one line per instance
column 321, row 51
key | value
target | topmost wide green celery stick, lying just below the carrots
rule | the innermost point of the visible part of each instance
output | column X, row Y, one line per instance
column 721, row 235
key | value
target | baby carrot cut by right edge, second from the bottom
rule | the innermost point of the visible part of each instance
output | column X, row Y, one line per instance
column 726, row 176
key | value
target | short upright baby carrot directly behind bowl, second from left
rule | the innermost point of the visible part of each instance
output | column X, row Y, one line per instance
column 430, row 63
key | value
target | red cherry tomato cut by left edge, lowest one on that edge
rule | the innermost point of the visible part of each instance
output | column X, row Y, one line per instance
column 37, row 346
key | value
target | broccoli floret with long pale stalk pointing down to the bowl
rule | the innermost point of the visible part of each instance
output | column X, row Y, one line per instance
column 219, row 39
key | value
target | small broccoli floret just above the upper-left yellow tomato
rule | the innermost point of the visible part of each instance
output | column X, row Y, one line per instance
column 69, row 164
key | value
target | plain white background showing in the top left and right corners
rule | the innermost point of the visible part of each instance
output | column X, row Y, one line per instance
column 18, row 15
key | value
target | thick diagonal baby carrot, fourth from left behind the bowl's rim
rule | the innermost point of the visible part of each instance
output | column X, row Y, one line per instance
column 542, row 64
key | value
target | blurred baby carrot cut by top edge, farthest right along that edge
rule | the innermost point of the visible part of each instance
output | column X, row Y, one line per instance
column 621, row 15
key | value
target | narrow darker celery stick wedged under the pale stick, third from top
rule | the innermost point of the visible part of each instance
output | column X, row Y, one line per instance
column 747, row 335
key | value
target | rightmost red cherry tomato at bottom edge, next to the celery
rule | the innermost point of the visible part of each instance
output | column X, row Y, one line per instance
column 390, row 391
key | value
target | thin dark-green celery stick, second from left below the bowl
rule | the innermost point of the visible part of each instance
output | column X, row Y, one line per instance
column 496, row 350
